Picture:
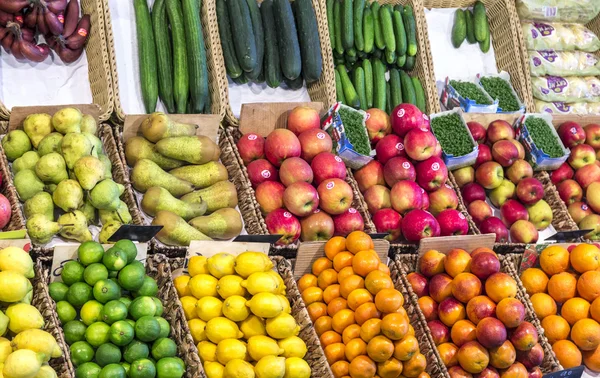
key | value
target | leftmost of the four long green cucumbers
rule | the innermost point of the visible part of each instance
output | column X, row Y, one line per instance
column 147, row 55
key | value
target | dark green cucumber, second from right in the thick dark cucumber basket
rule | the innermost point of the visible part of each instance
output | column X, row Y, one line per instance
column 287, row 39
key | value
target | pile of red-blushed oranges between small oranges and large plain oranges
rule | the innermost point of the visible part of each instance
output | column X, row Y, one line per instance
column 476, row 333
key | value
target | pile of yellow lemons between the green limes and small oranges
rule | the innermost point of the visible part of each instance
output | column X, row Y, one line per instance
column 240, row 317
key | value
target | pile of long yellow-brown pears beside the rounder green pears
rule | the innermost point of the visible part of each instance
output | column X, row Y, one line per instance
column 183, row 184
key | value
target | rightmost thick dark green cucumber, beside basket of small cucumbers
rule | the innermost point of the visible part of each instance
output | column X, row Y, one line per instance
column 310, row 46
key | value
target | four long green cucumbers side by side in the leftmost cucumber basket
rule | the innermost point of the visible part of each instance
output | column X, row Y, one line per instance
column 172, row 57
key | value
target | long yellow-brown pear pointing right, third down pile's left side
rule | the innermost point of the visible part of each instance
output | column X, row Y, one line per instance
column 146, row 174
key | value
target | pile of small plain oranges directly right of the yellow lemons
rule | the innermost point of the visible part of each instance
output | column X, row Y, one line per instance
column 358, row 314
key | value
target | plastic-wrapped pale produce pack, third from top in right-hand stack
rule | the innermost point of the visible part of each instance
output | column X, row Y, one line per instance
column 563, row 63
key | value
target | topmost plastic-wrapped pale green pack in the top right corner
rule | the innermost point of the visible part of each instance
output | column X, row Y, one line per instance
column 579, row 11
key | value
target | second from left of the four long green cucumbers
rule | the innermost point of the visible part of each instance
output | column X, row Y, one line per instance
column 164, row 58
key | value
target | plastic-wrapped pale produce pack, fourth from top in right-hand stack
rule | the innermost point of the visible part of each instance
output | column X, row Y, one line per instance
column 566, row 89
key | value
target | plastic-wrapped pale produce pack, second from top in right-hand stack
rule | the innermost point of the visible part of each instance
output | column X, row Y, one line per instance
column 559, row 36
